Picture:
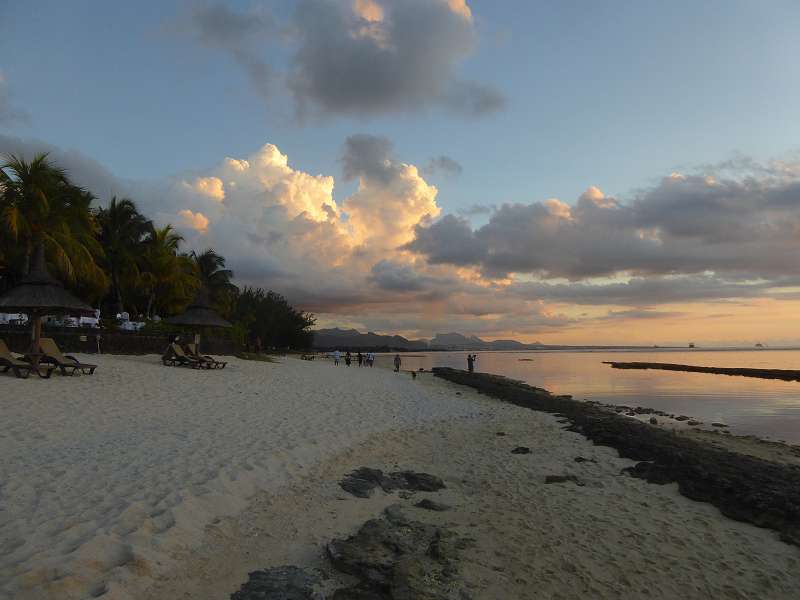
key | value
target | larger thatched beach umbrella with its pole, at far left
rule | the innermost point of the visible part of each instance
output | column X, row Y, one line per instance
column 39, row 294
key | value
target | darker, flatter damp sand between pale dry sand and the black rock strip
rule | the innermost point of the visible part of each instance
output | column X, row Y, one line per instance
column 597, row 534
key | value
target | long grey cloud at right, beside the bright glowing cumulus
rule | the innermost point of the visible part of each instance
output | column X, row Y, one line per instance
column 685, row 224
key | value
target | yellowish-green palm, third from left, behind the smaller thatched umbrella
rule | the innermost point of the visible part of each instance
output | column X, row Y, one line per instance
column 170, row 279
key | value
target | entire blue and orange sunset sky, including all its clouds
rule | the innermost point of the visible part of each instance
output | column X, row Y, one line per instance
column 568, row 172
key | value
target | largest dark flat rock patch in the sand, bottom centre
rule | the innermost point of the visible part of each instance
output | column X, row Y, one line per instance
column 396, row 558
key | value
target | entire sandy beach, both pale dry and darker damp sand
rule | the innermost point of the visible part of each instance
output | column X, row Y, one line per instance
column 149, row 482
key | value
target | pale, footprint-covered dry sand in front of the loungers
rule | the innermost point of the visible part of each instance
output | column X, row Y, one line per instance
column 105, row 476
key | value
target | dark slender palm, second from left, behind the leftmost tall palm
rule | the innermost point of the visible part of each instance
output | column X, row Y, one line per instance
column 122, row 232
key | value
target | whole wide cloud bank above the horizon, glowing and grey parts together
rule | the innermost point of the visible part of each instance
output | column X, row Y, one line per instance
column 384, row 257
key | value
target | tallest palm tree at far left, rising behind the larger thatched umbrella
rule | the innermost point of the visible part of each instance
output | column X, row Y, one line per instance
column 39, row 205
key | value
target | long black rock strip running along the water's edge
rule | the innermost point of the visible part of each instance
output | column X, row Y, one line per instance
column 742, row 487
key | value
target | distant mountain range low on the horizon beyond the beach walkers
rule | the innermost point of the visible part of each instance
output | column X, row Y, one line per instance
column 352, row 339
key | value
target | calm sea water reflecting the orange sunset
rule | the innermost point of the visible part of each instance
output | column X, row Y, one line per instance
column 750, row 406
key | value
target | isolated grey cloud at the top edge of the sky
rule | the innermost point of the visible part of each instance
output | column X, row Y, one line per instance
column 357, row 57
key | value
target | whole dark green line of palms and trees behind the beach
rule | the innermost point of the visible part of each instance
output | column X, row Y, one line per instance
column 116, row 258
